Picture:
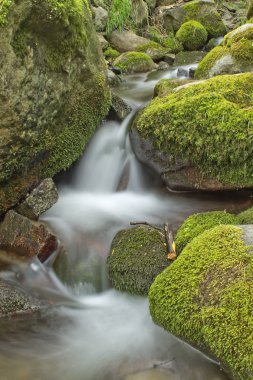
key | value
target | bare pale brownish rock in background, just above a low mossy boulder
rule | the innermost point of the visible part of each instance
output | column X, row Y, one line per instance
column 126, row 40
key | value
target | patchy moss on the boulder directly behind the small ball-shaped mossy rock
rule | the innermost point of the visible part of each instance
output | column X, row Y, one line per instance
column 207, row 15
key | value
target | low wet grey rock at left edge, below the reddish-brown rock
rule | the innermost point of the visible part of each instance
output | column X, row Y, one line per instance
column 15, row 301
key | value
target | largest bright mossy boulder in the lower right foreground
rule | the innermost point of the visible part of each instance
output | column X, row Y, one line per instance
column 205, row 298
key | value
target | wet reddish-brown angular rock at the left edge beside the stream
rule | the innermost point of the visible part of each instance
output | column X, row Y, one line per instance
column 26, row 238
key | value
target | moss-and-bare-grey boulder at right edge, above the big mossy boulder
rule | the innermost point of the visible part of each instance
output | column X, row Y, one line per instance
column 235, row 56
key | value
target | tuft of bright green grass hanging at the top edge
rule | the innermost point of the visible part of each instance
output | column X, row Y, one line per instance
column 119, row 14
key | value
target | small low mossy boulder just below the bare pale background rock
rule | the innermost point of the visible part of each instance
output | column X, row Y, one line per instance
column 134, row 62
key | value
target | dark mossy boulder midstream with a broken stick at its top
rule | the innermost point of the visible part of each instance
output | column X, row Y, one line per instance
column 137, row 256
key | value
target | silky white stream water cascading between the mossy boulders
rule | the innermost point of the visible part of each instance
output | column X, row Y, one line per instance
column 109, row 335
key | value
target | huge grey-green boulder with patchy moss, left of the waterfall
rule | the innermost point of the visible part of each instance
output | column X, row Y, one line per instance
column 52, row 78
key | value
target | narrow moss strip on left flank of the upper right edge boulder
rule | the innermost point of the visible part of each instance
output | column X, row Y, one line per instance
column 209, row 61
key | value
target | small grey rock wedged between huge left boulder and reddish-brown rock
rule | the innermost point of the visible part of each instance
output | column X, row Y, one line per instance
column 39, row 200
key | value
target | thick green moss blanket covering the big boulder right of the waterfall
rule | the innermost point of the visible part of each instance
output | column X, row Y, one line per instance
column 195, row 122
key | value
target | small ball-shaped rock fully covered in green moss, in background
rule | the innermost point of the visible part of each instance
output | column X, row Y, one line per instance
column 192, row 35
